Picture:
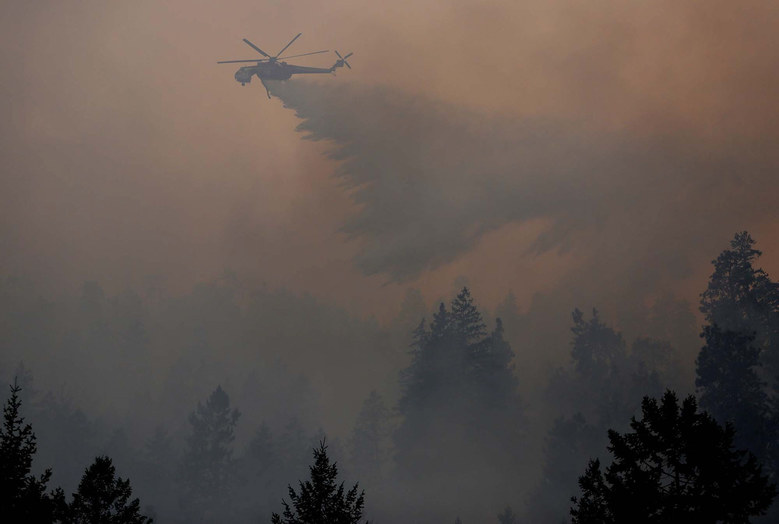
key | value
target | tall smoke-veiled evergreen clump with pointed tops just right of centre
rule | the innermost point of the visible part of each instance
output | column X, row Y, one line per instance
column 459, row 399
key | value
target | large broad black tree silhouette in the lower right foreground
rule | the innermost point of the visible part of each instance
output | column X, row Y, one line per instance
column 677, row 465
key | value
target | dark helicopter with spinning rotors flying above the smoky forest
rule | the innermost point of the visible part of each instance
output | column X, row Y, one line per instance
column 274, row 67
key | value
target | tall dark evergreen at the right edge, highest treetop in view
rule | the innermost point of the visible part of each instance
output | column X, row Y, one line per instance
column 740, row 360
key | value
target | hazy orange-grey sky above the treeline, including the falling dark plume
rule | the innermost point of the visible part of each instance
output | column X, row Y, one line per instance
column 635, row 138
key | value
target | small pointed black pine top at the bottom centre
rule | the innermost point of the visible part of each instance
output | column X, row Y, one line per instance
column 320, row 500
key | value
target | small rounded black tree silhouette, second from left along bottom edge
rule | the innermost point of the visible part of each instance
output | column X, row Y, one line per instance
column 103, row 498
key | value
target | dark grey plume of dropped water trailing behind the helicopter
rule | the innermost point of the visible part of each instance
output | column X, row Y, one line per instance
column 430, row 179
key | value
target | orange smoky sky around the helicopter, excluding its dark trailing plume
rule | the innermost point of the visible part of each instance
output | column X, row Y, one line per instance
column 126, row 151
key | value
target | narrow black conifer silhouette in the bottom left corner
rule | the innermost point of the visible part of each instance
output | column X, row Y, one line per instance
column 23, row 496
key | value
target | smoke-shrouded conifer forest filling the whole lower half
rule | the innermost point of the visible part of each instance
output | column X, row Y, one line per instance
column 208, row 407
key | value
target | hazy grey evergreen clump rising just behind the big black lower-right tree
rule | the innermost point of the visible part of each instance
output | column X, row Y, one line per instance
column 601, row 389
